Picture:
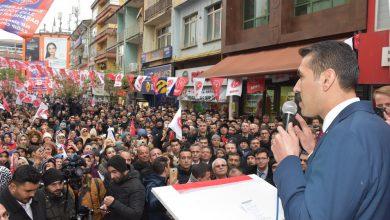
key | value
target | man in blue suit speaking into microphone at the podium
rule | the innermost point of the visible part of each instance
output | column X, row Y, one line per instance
column 348, row 169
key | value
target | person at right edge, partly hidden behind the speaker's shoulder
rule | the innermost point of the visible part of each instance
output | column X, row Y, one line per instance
column 382, row 101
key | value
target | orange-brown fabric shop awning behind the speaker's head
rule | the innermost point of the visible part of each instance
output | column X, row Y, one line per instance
column 259, row 63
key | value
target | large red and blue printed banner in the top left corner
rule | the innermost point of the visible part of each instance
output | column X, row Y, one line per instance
column 22, row 17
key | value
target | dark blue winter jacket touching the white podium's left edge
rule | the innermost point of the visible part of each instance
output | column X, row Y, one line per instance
column 154, row 209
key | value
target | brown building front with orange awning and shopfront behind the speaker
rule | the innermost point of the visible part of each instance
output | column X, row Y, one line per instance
column 261, row 39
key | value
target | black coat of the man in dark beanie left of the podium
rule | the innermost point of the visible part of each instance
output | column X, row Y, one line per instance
column 129, row 197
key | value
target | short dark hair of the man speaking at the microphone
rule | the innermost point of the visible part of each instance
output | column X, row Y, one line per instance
column 335, row 55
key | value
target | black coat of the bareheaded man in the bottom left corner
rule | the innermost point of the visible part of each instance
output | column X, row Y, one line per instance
column 16, row 211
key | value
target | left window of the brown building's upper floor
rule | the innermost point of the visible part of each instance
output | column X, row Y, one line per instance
column 256, row 13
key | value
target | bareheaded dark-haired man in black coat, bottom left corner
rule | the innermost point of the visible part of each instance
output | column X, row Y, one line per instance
column 19, row 198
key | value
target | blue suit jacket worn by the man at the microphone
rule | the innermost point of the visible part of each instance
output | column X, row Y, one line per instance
column 348, row 172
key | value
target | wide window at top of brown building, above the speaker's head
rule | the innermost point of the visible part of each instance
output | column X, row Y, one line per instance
column 303, row 7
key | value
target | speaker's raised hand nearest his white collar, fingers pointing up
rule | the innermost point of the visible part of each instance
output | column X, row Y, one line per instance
column 306, row 137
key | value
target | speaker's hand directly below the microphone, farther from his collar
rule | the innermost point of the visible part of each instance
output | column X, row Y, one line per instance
column 285, row 143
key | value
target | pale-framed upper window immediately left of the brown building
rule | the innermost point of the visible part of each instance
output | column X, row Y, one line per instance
column 214, row 22
